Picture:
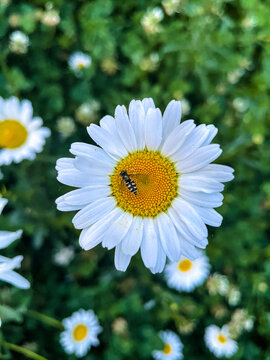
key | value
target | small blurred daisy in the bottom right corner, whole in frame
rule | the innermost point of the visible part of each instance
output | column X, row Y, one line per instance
column 219, row 341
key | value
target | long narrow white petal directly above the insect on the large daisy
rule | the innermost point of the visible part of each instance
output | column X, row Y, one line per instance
column 125, row 129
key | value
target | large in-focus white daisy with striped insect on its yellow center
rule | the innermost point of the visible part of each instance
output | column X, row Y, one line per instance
column 163, row 205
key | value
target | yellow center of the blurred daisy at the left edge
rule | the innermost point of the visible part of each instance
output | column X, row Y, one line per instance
column 12, row 134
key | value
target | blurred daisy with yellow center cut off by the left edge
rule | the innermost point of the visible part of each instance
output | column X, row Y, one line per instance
column 21, row 134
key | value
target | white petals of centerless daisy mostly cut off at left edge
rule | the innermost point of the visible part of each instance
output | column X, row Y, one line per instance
column 8, row 265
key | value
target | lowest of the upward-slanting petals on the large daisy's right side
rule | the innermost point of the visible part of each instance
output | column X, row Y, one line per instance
column 200, row 158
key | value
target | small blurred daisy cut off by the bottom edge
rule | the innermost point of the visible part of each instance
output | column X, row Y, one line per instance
column 172, row 347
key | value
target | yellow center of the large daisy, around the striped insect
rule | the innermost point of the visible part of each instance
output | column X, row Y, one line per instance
column 156, row 181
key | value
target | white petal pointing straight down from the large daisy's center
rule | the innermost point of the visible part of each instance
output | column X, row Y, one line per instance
column 149, row 246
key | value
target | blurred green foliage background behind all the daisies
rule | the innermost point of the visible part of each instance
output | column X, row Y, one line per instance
column 209, row 54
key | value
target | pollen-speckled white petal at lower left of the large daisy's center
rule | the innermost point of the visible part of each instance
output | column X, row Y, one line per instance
column 117, row 230
